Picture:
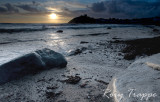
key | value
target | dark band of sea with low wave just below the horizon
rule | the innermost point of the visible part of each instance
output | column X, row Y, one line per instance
column 18, row 28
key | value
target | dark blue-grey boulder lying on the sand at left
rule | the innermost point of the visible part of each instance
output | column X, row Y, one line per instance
column 31, row 63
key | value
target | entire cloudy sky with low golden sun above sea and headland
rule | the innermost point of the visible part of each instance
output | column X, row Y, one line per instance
column 62, row 11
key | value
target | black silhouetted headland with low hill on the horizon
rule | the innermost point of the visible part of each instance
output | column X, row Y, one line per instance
column 84, row 19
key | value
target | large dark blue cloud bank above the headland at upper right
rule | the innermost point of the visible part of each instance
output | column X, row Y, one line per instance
column 126, row 9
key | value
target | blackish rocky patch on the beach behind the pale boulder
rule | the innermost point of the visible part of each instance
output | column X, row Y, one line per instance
column 139, row 47
